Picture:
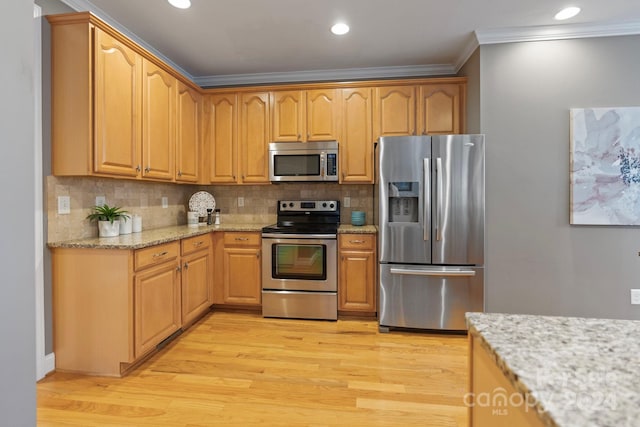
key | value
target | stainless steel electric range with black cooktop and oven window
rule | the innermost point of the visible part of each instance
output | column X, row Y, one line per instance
column 299, row 264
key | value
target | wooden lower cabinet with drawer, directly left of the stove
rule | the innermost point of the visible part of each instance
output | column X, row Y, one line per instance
column 238, row 269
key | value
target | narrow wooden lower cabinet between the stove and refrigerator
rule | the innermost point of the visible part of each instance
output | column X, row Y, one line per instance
column 357, row 285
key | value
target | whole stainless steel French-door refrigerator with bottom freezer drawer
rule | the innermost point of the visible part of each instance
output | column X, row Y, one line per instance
column 430, row 214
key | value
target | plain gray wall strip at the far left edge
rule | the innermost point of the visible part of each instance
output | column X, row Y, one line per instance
column 17, row 246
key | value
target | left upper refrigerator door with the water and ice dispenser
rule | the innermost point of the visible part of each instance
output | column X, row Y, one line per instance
column 404, row 204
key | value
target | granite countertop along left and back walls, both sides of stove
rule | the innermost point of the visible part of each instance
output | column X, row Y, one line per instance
column 168, row 234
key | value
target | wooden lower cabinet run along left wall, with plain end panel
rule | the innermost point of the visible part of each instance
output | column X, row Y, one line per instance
column 112, row 307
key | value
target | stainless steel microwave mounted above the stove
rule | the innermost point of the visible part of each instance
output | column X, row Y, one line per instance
column 303, row 161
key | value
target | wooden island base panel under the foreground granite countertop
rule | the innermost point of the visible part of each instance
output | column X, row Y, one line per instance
column 492, row 399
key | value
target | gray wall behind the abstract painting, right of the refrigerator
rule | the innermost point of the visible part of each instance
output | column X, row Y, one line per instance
column 536, row 262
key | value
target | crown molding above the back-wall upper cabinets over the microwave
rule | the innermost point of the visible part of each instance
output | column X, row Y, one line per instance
column 326, row 75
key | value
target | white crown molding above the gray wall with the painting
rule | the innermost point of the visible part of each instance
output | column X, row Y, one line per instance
column 556, row 32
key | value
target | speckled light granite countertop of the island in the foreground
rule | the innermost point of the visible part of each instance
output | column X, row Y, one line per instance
column 581, row 372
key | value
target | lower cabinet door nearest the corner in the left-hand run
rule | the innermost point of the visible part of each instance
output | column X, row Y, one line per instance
column 196, row 285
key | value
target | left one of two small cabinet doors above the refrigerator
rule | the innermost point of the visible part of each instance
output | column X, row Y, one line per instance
column 394, row 111
